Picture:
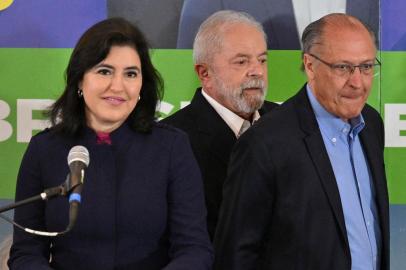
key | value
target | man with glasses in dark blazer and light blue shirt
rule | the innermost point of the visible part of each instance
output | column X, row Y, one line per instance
column 306, row 186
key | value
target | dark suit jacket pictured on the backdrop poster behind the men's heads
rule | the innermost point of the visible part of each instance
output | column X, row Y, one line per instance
column 277, row 17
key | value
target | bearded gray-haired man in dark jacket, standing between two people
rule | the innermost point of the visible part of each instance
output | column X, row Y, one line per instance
column 230, row 57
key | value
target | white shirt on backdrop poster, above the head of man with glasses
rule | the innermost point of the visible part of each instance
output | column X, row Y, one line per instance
column 307, row 11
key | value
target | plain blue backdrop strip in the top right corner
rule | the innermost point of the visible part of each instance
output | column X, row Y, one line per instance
column 393, row 21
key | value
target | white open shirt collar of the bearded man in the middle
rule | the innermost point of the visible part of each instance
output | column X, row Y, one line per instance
column 232, row 120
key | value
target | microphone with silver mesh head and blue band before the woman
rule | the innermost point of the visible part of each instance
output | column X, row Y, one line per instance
column 78, row 160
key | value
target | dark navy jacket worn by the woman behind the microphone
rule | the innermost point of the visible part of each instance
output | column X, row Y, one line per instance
column 142, row 204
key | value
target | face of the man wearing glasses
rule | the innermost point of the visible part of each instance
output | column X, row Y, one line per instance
column 343, row 96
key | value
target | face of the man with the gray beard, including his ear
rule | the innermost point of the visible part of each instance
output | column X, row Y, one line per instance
column 237, row 77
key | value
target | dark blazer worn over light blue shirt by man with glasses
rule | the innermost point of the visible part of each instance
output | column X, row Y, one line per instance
column 281, row 205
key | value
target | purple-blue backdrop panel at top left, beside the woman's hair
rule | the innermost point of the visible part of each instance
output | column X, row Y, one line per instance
column 48, row 23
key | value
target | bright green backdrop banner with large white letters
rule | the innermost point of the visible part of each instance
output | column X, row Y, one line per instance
column 32, row 78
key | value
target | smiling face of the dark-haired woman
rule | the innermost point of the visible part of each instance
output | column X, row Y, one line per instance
column 111, row 89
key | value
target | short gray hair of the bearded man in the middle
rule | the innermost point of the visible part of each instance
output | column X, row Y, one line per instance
column 209, row 37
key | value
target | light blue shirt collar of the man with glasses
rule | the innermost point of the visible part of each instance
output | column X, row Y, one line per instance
column 332, row 125
